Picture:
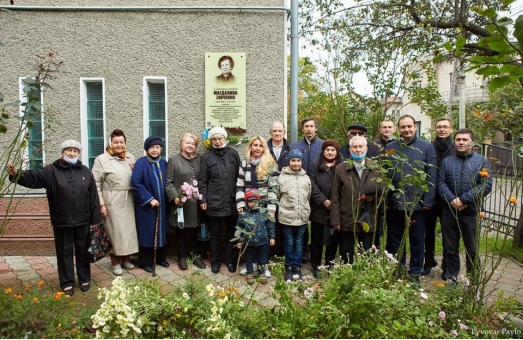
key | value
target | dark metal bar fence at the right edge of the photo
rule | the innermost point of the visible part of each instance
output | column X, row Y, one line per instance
column 505, row 167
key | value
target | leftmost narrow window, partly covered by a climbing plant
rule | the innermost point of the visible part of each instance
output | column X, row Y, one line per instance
column 31, row 92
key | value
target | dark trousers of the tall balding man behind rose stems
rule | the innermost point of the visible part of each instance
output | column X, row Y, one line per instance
column 396, row 229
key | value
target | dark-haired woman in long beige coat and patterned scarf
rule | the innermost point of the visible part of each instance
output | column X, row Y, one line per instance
column 112, row 173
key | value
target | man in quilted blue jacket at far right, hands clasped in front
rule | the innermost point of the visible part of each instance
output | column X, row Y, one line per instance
column 463, row 181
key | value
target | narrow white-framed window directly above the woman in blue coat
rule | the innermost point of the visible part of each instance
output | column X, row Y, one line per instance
column 155, row 110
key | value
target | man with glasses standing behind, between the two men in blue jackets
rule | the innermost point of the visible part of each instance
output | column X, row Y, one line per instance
column 444, row 147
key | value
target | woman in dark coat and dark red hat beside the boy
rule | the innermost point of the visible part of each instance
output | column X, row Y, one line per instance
column 322, row 173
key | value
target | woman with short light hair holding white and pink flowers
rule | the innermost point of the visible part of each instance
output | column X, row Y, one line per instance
column 182, row 192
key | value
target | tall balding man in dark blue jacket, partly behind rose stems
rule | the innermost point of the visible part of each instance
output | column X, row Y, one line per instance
column 421, row 156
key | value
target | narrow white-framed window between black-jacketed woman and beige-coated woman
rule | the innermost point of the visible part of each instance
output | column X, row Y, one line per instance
column 92, row 98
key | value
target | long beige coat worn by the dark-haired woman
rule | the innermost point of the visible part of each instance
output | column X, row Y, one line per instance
column 113, row 180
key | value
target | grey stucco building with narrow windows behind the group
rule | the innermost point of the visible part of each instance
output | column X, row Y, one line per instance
column 137, row 66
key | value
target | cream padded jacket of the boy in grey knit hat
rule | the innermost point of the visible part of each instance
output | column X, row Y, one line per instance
column 294, row 194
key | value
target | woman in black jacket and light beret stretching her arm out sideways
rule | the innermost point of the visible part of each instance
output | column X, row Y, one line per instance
column 73, row 207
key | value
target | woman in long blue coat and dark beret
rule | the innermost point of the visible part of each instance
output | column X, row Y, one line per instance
column 150, row 204
